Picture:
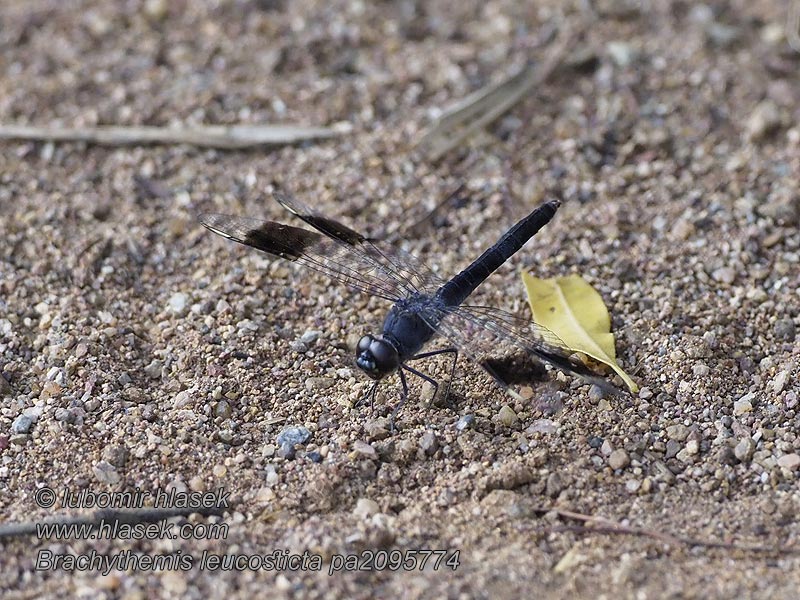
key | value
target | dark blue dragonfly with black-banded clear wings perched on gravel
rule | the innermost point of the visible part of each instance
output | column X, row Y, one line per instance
column 424, row 305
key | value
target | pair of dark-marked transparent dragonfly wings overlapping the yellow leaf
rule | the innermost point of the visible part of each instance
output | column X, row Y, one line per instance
column 484, row 333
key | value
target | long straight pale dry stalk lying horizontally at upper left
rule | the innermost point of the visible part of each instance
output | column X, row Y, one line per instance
column 213, row 136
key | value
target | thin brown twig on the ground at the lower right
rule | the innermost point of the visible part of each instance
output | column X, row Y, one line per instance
column 607, row 526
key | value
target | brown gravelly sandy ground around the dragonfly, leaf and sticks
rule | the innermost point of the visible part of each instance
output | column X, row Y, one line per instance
column 142, row 352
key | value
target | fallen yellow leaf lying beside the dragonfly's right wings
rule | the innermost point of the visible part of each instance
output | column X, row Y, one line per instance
column 574, row 311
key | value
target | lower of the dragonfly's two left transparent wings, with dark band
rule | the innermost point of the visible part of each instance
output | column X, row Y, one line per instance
column 336, row 258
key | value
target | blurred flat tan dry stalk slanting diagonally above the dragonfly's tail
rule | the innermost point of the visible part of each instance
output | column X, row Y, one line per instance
column 486, row 105
